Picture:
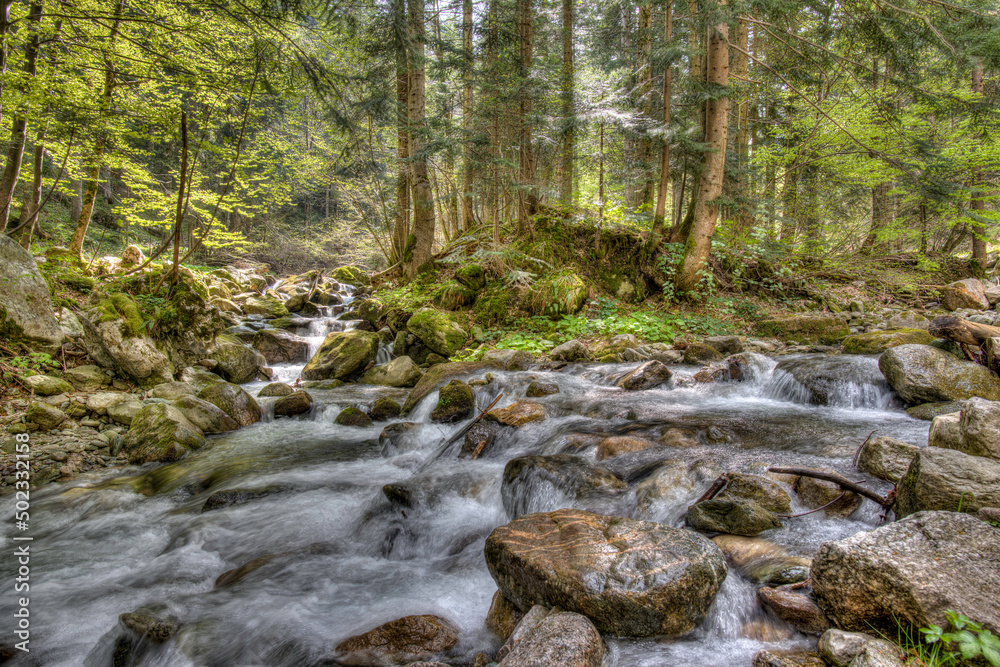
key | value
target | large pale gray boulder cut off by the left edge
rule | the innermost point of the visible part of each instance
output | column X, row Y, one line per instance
column 25, row 307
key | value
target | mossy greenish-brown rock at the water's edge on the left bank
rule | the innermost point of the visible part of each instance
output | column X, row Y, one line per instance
column 160, row 432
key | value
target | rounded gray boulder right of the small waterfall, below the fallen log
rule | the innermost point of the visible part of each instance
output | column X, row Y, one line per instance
column 925, row 374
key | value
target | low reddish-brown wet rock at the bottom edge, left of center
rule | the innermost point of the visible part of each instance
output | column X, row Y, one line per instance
column 405, row 640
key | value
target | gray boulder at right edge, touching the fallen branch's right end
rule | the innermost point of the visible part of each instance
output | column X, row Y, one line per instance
column 945, row 479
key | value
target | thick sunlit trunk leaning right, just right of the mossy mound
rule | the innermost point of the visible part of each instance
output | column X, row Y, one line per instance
column 699, row 241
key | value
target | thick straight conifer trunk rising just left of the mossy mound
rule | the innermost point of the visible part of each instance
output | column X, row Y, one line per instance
column 422, row 237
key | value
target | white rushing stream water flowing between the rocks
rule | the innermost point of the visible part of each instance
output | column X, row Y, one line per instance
column 329, row 556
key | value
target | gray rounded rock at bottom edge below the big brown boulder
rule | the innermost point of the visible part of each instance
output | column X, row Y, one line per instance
column 565, row 639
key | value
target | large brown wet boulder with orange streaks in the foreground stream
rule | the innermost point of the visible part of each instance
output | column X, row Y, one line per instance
column 631, row 578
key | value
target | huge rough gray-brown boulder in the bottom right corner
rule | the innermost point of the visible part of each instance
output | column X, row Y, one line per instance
column 911, row 571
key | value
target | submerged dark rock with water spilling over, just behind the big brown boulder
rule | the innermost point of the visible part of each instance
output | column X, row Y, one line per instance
column 529, row 478
